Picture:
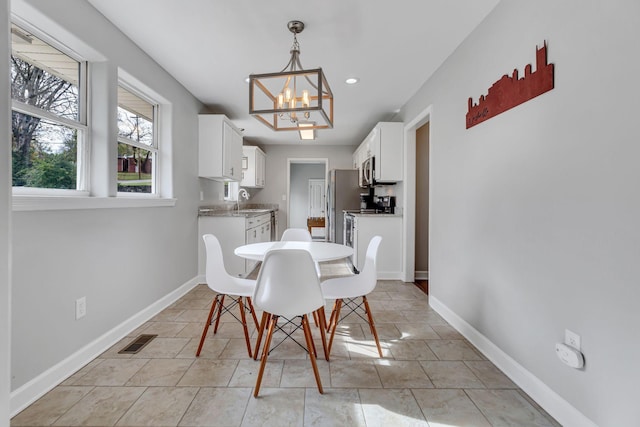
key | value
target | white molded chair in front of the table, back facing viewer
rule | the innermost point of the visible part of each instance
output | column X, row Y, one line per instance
column 288, row 286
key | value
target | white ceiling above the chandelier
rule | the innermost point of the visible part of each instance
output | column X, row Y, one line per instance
column 211, row 46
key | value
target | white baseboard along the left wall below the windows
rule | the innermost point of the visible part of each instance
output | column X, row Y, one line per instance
column 37, row 387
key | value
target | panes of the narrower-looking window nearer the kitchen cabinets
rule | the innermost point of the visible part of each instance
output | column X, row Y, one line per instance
column 137, row 143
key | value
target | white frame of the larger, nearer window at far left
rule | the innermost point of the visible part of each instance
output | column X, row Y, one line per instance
column 81, row 125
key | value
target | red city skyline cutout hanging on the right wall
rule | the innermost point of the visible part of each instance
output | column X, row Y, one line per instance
column 509, row 92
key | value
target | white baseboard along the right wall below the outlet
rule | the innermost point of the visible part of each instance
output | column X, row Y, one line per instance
column 548, row 399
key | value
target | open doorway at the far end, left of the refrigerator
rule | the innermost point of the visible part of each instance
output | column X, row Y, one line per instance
column 301, row 174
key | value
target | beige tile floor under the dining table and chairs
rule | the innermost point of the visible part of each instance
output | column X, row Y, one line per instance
column 429, row 376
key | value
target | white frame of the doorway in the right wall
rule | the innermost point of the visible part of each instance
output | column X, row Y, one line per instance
column 409, row 213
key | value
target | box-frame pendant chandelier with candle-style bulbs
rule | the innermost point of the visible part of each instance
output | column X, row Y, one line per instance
column 294, row 98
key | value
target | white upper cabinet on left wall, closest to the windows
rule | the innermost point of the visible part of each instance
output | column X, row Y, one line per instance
column 220, row 148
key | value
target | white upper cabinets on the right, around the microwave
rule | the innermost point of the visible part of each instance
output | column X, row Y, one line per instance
column 385, row 142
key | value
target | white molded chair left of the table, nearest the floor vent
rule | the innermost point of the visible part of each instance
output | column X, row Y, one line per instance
column 225, row 285
